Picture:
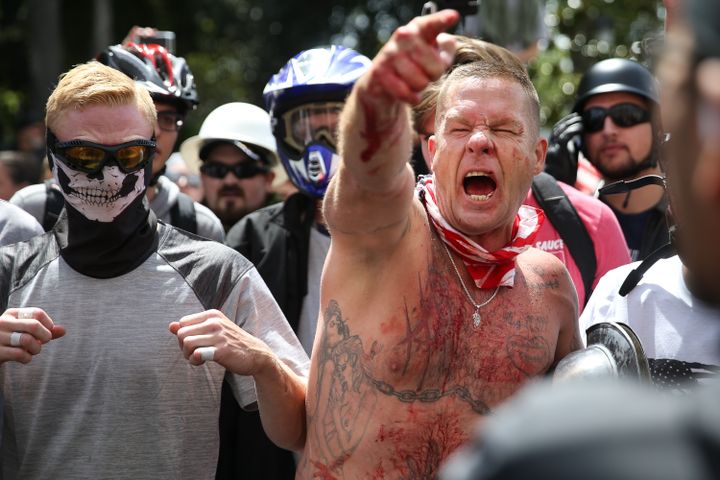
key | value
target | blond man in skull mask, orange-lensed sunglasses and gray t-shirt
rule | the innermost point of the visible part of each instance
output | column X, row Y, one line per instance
column 116, row 389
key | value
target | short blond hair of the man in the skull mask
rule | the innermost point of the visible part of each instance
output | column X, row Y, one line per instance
column 93, row 83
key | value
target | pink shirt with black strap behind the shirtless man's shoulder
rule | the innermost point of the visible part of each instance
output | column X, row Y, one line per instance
column 610, row 248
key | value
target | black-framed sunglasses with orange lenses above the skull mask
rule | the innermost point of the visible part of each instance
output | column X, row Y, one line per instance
column 91, row 157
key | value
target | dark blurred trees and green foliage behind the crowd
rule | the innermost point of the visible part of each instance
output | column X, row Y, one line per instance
column 234, row 46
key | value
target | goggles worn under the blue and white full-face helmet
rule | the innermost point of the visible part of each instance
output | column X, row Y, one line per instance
column 311, row 122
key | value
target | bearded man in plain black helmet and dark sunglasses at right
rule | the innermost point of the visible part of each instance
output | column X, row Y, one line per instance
column 616, row 124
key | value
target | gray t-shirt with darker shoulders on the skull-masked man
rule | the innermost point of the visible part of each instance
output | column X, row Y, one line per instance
column 114, row 397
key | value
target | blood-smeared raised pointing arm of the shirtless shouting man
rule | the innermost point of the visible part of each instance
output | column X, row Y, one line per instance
column 371, row 194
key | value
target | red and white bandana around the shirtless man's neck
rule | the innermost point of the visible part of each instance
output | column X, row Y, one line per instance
column 487, row 269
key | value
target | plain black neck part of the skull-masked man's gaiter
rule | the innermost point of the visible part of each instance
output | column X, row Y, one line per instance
column 107, row 249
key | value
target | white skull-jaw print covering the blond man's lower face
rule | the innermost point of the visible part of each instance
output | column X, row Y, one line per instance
column 103, row 196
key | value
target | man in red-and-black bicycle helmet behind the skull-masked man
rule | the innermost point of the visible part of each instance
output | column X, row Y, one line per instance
column 172, row 87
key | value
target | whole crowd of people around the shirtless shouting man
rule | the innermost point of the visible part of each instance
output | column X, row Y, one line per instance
column 309, row 306
